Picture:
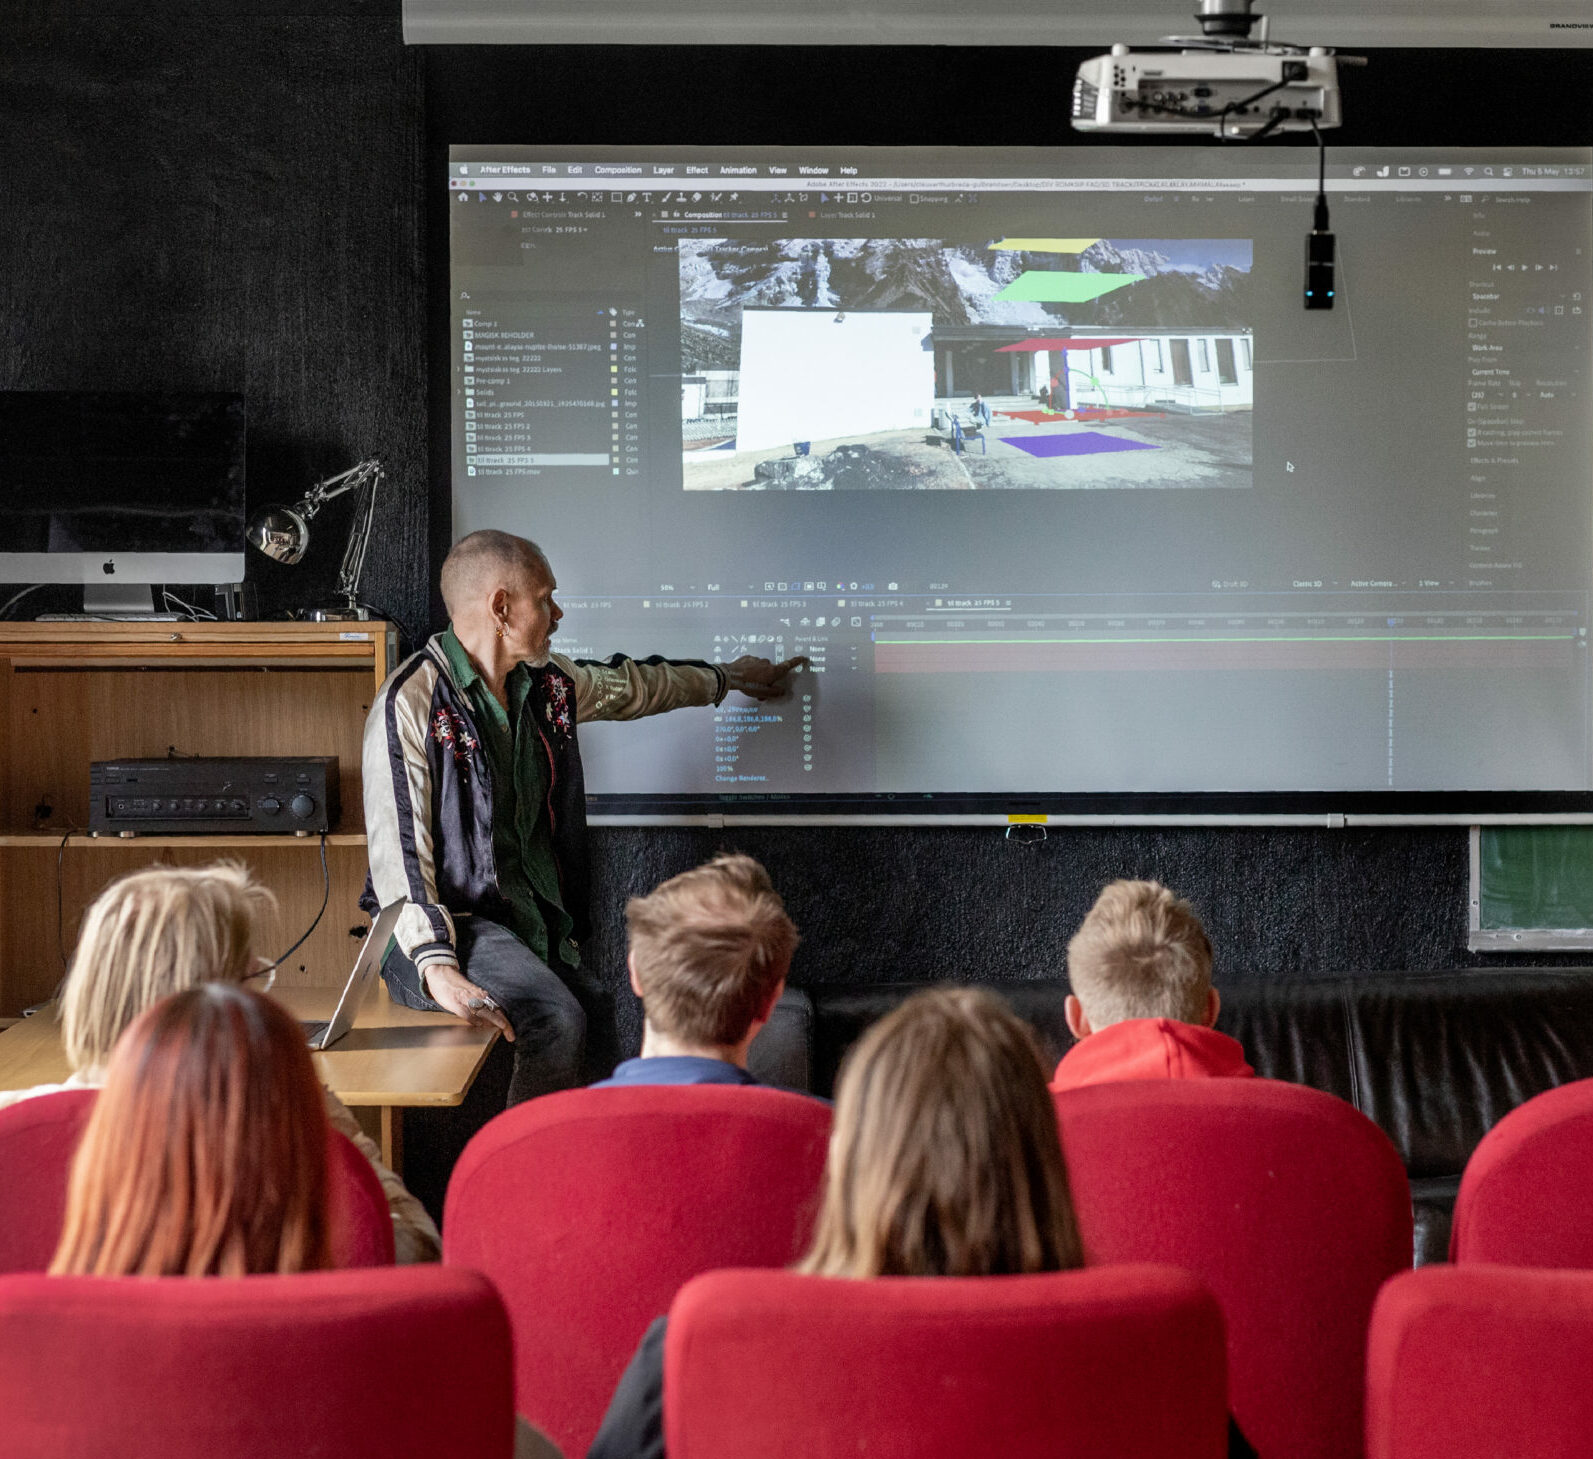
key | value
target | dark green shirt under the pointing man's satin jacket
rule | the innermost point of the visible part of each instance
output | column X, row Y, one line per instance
column 522, row 834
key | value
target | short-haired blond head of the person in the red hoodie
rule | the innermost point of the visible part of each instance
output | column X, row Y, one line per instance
column 1141, row 953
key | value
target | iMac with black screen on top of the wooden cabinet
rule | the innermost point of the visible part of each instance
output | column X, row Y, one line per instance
column 122, row 491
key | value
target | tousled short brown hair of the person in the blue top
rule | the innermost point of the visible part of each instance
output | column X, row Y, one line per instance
column 710, row 950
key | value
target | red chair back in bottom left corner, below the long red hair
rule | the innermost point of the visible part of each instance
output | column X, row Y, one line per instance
column 382, row 1364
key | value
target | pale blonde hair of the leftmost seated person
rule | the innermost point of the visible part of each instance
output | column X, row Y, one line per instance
column 152, row 934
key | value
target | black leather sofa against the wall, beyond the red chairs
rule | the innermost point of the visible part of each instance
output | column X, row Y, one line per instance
column 1436, row 1060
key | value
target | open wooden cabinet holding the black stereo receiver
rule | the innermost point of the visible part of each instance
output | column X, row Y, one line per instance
column 72, row 694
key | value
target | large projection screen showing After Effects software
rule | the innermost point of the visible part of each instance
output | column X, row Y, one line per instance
column 1043, row 463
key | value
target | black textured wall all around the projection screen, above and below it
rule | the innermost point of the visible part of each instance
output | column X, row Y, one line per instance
column 225, row 198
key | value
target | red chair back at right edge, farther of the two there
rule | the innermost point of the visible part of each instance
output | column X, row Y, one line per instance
column 1527, row 1197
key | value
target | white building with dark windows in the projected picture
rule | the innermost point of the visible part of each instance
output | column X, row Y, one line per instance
column 1197, row 374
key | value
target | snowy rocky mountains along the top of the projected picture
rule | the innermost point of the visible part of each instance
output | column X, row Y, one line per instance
column 1183, row 283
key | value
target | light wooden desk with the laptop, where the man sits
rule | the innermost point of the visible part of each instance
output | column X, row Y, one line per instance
column 393, row 1058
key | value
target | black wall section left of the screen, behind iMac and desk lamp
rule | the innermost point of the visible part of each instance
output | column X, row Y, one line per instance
column 229, row 201
